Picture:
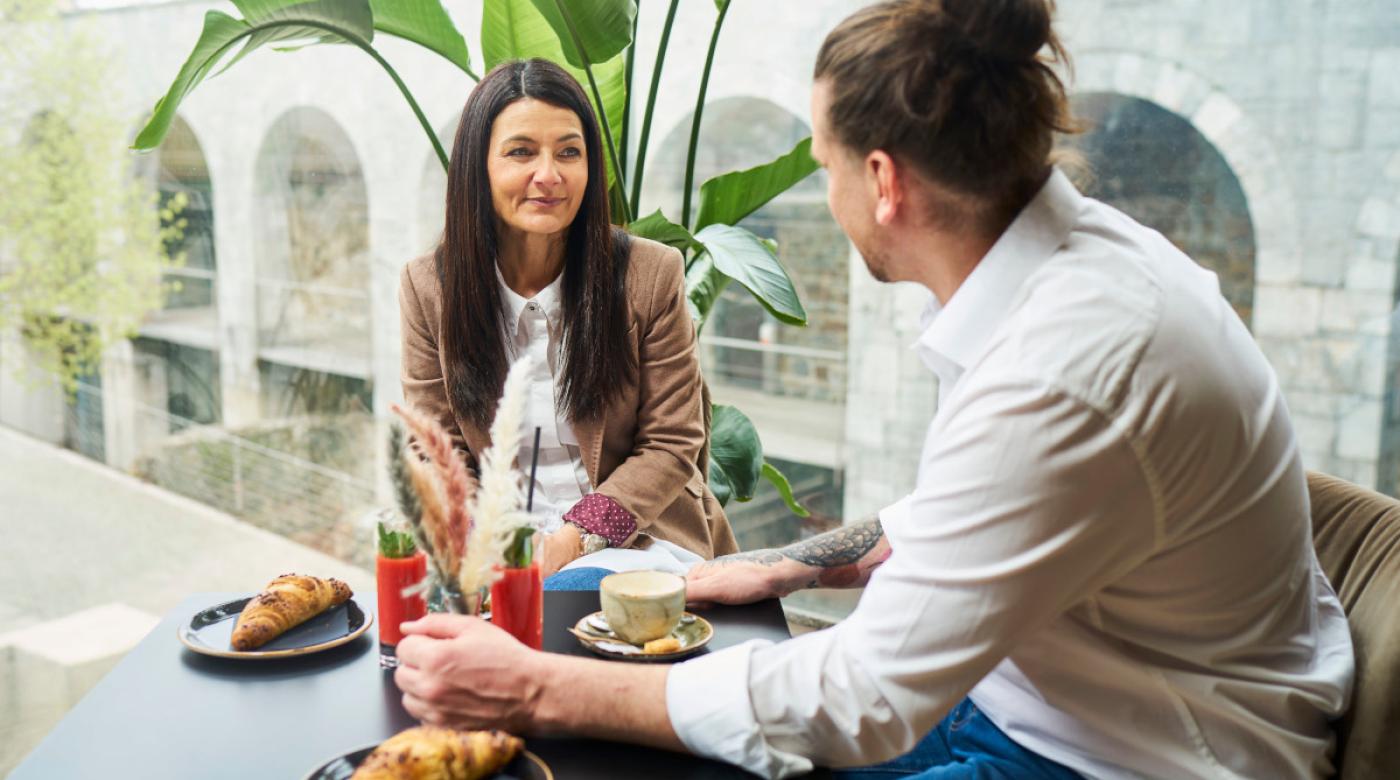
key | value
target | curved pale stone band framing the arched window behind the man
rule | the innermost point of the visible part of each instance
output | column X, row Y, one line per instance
column 1244, row 145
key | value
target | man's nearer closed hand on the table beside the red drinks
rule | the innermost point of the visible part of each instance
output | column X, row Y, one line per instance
column 465, row 673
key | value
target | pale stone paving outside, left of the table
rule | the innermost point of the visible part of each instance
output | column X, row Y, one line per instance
column 90, row 559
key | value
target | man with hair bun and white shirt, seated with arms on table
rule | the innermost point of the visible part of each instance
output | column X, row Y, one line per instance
column 1105, row 568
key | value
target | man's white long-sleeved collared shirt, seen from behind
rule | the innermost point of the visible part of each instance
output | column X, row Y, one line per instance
column 1108, row 547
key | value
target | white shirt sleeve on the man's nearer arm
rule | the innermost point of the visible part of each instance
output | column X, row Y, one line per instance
column 1028, row 501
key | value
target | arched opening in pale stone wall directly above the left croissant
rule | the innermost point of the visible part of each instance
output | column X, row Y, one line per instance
column 311, row 243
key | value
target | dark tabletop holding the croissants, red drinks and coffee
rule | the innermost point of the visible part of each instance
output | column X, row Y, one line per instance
column 167, row 712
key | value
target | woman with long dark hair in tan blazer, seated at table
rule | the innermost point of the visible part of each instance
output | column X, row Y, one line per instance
column 530, row 265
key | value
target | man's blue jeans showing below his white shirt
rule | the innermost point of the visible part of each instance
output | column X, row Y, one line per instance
column 965, row 747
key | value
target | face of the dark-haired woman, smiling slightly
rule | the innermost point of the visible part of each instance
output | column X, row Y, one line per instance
column 538, row 167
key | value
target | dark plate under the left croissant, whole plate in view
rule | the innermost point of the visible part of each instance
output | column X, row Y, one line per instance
column 209, row 632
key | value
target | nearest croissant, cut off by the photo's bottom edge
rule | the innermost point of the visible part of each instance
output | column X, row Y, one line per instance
column 430, row 753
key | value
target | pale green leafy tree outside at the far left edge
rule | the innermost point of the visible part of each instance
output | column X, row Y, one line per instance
column 82, row 250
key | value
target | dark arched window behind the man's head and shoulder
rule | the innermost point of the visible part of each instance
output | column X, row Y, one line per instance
column 1161, row 172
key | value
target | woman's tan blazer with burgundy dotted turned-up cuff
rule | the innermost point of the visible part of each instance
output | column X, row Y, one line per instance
column 649, row 452
